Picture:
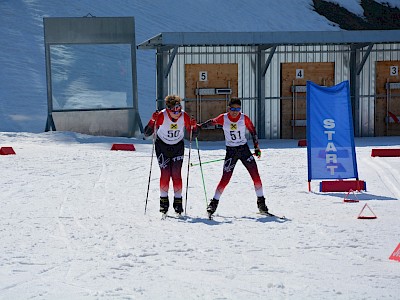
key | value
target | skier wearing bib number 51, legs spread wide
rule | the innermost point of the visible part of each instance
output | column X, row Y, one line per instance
column 234, row 124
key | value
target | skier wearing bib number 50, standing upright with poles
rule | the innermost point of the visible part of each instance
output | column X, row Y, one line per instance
column 170, row 123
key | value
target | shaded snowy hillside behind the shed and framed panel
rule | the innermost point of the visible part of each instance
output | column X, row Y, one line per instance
column 23, row 97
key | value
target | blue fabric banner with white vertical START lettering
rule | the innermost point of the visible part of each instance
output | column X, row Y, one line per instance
column 330, row 137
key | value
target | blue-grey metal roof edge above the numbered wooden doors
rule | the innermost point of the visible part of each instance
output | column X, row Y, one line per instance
column 173, row 39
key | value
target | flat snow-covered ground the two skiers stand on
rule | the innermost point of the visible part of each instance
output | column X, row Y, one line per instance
column 72, row 226
